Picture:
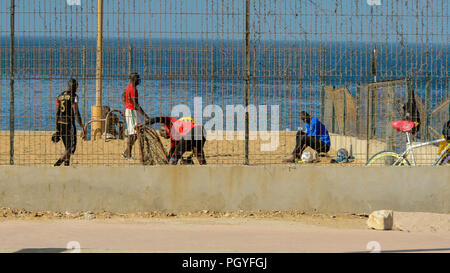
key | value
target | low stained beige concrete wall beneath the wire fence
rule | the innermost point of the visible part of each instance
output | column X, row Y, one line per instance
column 221, row 188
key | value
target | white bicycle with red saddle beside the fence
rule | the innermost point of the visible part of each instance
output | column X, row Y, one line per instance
column 391, row 158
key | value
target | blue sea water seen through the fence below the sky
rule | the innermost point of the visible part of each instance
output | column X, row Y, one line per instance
column 176, row 71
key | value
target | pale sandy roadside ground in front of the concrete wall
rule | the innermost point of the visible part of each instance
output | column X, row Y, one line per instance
column 281, row 231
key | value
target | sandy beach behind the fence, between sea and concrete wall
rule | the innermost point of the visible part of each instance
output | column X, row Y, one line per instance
column 36, row 148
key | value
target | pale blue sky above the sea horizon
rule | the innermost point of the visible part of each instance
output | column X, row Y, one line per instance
column 422, row 21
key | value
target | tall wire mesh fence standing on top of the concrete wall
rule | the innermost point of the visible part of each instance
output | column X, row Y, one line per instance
column 351, row 64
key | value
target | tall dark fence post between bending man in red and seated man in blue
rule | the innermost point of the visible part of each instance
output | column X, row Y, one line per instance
column 247, row 76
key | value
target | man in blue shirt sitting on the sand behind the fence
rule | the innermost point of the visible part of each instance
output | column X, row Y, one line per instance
column 316, row 137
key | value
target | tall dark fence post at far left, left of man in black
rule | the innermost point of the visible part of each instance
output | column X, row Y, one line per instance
column 11, row 87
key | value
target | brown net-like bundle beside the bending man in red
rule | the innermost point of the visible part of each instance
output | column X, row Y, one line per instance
column 152, row 150
